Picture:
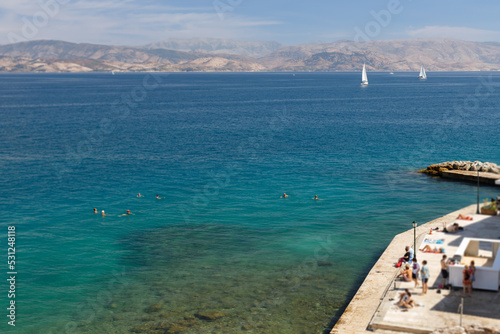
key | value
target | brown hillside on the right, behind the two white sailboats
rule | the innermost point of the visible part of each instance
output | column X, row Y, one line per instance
column 393, row 55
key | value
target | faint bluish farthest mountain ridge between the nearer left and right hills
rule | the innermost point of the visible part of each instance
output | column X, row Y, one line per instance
column 254, row 49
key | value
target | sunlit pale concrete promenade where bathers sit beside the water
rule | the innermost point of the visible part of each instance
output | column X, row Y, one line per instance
column 373, row 308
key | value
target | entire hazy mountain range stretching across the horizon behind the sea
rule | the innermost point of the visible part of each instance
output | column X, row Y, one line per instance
column 228, row 55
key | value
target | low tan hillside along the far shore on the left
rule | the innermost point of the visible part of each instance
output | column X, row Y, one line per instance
column 58, row 56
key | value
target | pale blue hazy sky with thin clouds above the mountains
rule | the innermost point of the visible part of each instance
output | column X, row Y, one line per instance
column 137, row 22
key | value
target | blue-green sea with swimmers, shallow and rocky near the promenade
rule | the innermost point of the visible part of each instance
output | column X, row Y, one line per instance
column 211, row 245
